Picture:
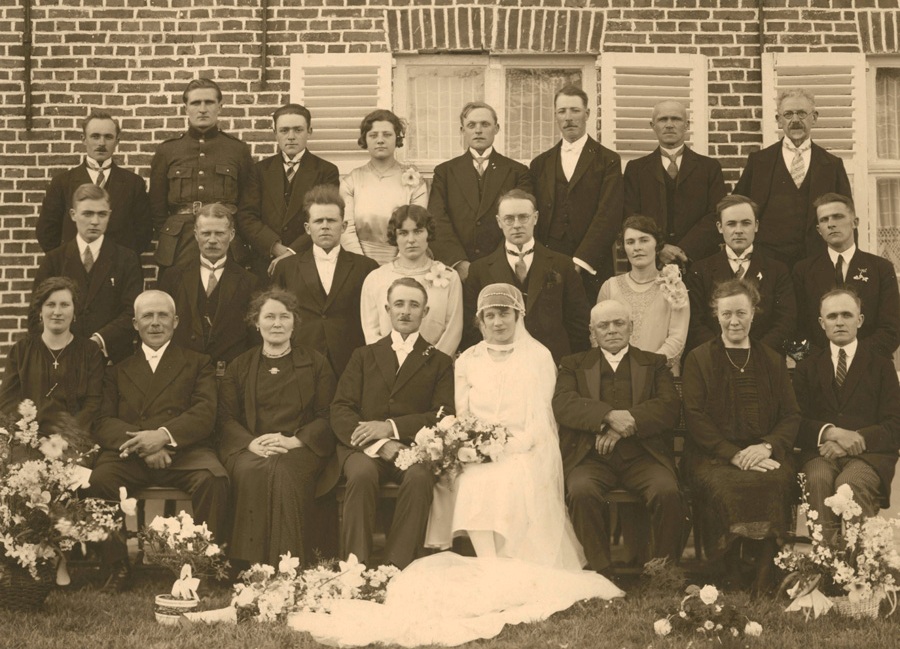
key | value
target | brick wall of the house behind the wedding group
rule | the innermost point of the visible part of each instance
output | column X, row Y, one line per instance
column 134, row 57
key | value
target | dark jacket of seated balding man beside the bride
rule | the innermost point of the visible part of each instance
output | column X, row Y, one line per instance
column 579, row 407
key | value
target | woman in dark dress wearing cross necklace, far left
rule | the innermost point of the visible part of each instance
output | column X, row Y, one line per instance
column 60, row 372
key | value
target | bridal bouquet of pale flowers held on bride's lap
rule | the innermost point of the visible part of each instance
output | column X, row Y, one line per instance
column 453, row 443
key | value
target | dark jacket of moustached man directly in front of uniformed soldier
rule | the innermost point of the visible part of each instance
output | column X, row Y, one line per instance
column 229, row 335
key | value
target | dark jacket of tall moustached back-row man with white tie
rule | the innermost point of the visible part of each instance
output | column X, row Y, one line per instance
column 595, row 198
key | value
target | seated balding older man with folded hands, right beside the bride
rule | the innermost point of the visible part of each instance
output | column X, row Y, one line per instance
column 614, row 404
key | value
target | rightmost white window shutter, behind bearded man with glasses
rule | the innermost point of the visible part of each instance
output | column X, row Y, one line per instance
column 838, row 82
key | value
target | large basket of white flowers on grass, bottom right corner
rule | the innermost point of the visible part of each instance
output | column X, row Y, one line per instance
column 862, row 562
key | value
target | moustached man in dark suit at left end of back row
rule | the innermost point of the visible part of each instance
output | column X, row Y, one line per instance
column 129, row 221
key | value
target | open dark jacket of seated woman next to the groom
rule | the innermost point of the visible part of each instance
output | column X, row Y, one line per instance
column 315, row 385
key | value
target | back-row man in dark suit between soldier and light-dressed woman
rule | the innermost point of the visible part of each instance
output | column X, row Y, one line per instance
column 271, row 219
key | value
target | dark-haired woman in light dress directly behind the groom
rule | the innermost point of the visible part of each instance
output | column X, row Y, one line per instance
column 410, row 229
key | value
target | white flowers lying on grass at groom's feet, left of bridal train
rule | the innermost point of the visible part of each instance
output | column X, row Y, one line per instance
column 267, row 594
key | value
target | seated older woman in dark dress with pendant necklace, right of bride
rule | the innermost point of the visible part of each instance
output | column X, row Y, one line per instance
column 742, row 420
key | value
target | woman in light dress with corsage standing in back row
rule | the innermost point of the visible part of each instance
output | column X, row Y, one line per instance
column 372, row 192
